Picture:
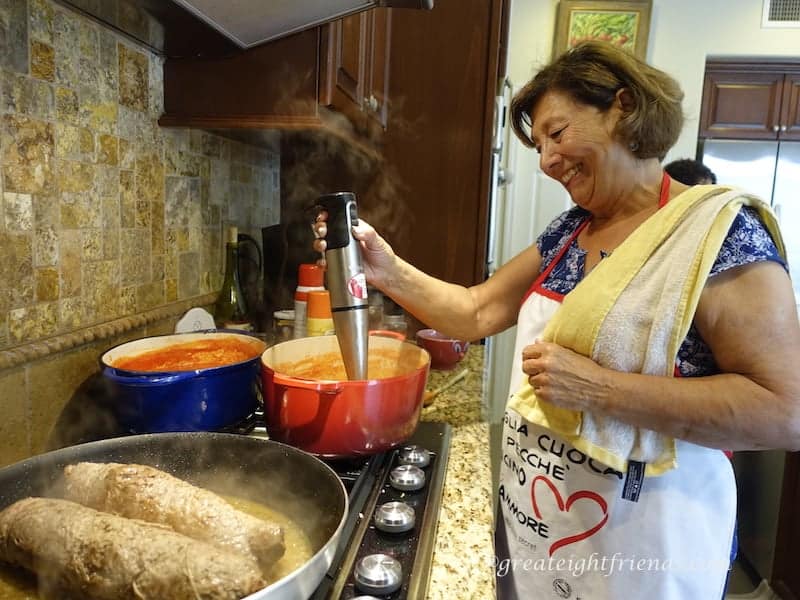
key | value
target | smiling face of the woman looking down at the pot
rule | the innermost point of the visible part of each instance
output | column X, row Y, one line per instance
column 577, row 147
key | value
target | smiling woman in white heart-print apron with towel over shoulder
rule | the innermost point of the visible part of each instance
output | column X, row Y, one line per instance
column 630, row 361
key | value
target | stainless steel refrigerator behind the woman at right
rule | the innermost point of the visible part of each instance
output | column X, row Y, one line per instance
column 770, row 169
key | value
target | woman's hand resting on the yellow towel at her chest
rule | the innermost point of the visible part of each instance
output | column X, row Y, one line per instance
column 562, row 377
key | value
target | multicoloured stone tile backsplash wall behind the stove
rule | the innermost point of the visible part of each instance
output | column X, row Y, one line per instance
column 110, row 226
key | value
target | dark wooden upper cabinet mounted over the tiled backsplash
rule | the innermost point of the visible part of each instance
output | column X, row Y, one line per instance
column 284, row 84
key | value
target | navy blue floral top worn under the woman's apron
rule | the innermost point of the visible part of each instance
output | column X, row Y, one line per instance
column 747, row 241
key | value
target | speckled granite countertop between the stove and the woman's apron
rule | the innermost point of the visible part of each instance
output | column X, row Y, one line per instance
column 464, row 550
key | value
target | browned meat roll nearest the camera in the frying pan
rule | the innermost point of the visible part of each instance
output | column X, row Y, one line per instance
column 83, row 553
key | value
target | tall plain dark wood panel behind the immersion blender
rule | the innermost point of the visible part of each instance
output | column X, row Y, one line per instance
column 427, row 191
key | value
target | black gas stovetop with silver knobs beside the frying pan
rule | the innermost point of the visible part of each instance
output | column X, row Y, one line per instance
column 386, row 547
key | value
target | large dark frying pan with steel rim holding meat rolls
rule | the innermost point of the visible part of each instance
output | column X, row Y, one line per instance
column 278, row 476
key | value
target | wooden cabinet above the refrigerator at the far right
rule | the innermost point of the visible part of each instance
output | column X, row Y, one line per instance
column 751, row 100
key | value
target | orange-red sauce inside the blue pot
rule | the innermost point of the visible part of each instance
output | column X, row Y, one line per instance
column 190, row 356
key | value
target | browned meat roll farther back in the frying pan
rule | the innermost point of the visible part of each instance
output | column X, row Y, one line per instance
column 147, row 493
